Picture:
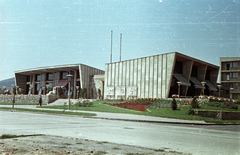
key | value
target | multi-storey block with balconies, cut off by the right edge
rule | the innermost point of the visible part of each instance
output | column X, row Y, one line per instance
column 230, row 74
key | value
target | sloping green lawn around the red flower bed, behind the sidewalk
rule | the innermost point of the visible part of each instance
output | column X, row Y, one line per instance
column 181, row 113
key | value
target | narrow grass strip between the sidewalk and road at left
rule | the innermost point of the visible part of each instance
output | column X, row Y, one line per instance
column 50, row 111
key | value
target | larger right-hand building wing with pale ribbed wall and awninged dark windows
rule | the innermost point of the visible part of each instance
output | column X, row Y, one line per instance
column 160, row 76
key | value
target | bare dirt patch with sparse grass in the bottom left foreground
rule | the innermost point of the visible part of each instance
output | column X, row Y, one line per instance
column 54, row 145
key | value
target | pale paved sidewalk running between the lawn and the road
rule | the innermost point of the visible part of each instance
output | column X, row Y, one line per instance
column 122, row 117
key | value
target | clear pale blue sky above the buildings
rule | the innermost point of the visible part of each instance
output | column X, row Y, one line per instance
column 56, row 32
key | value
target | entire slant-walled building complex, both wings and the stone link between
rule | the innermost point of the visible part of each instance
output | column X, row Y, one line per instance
column 158, row 76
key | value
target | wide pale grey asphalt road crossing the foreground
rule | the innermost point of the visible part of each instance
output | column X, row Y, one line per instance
column 195, row 139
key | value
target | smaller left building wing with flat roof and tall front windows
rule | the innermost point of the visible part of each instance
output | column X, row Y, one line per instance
column 43, row 79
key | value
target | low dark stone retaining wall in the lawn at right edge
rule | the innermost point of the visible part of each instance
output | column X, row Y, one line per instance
column 221, row 115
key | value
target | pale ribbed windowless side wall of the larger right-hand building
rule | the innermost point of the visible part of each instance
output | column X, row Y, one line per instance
column 147, row 77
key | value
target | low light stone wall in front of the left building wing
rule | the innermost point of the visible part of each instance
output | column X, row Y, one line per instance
column 28, row 98
